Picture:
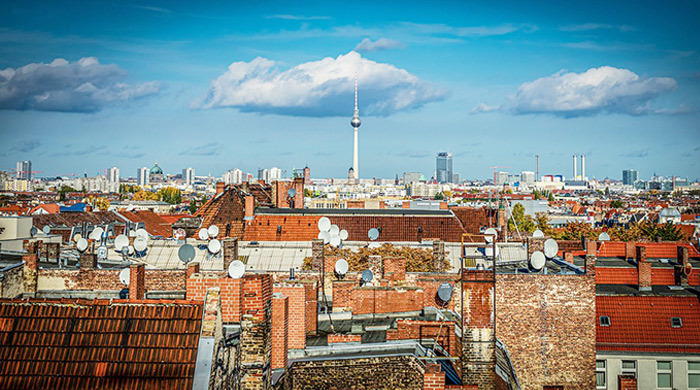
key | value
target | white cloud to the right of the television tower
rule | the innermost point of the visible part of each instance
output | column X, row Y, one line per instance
column 597, row 90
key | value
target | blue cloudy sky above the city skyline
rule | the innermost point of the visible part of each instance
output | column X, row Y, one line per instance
column 88, row 85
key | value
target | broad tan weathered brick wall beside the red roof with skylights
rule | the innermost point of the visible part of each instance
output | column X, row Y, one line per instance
column 547, row 322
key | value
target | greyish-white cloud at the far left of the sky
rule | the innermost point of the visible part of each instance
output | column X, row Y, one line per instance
column 82, row 86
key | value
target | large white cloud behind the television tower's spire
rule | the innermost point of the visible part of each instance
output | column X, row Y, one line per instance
column 319, row 88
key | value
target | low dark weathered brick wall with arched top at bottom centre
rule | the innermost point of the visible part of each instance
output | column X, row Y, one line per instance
column 396, row 372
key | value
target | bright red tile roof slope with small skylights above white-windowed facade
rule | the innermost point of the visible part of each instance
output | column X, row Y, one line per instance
column 643, row 324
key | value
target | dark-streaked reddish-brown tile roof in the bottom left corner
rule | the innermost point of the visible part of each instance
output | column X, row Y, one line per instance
column 78, row 343
